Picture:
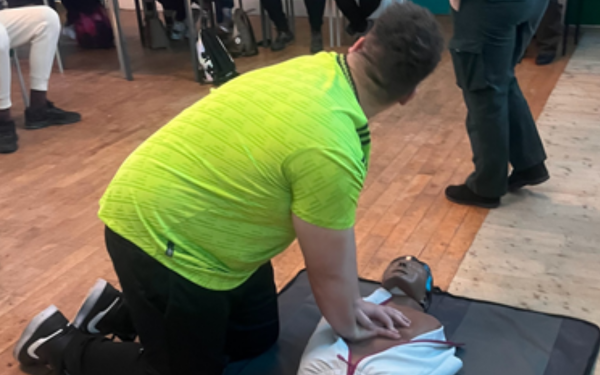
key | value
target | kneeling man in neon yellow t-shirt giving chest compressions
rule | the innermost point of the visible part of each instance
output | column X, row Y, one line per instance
column 195, row 214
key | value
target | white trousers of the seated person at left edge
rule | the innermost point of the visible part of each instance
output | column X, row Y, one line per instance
column 38, row 25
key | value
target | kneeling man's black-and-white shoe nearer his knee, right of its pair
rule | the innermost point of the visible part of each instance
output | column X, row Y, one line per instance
column 99, row 313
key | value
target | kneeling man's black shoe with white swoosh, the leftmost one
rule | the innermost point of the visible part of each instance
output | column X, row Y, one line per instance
column 44, row 339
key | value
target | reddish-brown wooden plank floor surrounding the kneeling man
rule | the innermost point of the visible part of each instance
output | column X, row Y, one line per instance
column 51, row 245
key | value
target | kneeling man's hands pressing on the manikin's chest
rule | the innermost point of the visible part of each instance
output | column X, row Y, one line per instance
column 376, row 320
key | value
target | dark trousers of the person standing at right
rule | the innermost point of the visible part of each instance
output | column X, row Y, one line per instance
column 490, row 37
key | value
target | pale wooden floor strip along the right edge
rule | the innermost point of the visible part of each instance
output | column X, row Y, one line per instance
column 541, row 251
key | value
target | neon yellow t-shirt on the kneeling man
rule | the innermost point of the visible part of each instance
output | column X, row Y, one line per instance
column 210, row 195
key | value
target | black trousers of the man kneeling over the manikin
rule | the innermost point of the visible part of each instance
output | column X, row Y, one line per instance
column 182, row 327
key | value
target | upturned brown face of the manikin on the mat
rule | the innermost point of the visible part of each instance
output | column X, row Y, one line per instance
column 408, row 276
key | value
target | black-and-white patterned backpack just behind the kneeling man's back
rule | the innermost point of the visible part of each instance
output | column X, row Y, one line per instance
column 217, row 65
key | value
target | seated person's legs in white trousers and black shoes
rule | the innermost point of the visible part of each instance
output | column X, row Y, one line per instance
column 39, row 26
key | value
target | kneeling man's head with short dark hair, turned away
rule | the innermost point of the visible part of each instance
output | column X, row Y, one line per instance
column 402, row 49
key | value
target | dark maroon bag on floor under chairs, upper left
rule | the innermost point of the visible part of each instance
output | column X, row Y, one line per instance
column 93, row 29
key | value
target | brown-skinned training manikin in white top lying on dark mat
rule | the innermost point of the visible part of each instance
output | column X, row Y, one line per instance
column 422, row 348
